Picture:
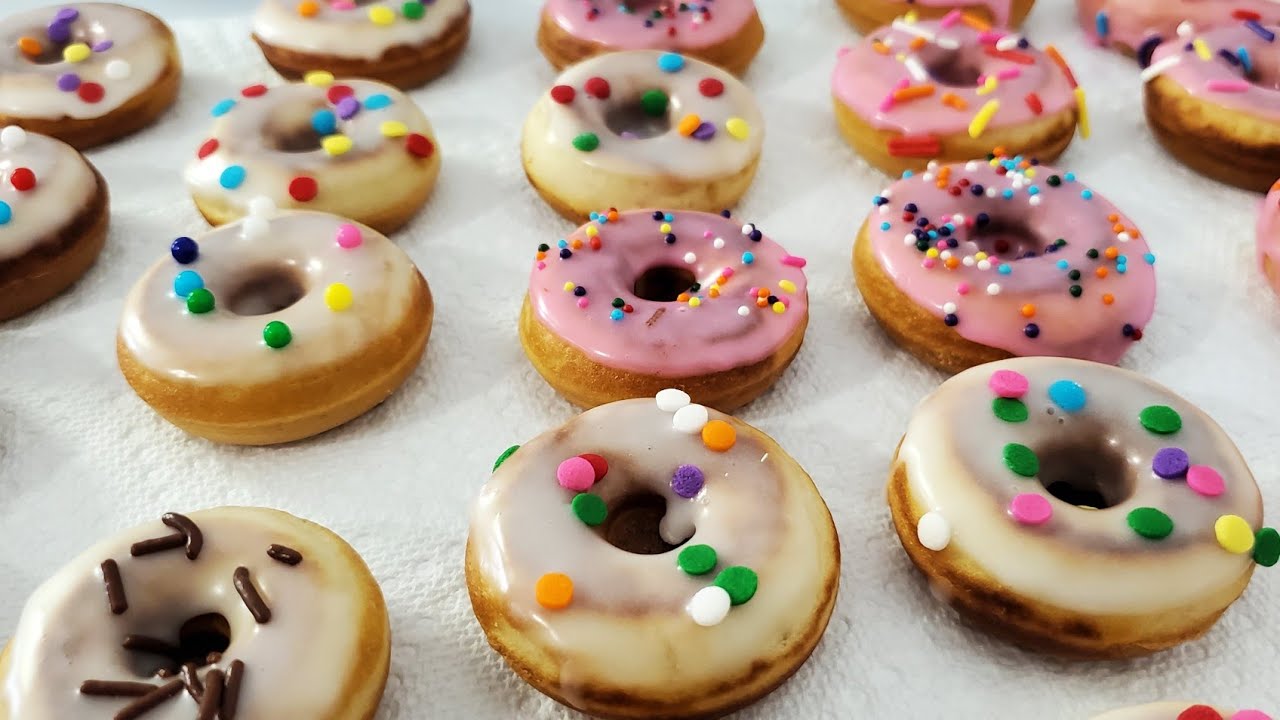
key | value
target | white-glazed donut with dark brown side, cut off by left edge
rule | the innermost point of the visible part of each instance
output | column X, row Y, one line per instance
column 53, row 218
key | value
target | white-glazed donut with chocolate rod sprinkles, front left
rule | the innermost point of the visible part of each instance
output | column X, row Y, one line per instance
column 230, row 613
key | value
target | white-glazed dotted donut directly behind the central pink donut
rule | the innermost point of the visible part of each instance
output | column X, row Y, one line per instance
column 643, row 130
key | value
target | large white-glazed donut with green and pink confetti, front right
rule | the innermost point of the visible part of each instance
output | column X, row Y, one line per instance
column 1076, row 508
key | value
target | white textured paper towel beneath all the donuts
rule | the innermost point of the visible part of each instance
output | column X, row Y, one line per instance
column 81, row 457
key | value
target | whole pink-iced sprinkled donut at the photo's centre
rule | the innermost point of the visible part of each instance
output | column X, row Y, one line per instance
column 633, row 303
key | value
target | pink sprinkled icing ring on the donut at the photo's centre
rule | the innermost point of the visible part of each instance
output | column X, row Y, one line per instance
column 673, row 340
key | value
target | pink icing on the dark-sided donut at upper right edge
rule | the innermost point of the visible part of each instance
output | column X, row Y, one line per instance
column 1223, row 83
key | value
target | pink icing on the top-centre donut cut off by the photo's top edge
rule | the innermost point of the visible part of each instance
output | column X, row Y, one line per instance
column 700, row 25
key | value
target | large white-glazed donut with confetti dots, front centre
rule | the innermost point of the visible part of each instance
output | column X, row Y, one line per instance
column 652, row 559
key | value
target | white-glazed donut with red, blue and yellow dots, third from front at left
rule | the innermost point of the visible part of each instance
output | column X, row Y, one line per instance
column 358, row 149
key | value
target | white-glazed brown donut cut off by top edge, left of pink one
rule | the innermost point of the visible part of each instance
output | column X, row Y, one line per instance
column 403, row 44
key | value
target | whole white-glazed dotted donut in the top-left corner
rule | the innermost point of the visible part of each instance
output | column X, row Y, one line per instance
column 86, row 74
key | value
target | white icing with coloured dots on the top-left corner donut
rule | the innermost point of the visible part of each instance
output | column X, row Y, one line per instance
column 79, row 61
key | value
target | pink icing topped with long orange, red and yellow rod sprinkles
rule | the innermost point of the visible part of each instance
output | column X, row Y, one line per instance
column 866, row 79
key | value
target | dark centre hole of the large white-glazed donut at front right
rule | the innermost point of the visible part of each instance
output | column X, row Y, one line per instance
column 1090, row 475
